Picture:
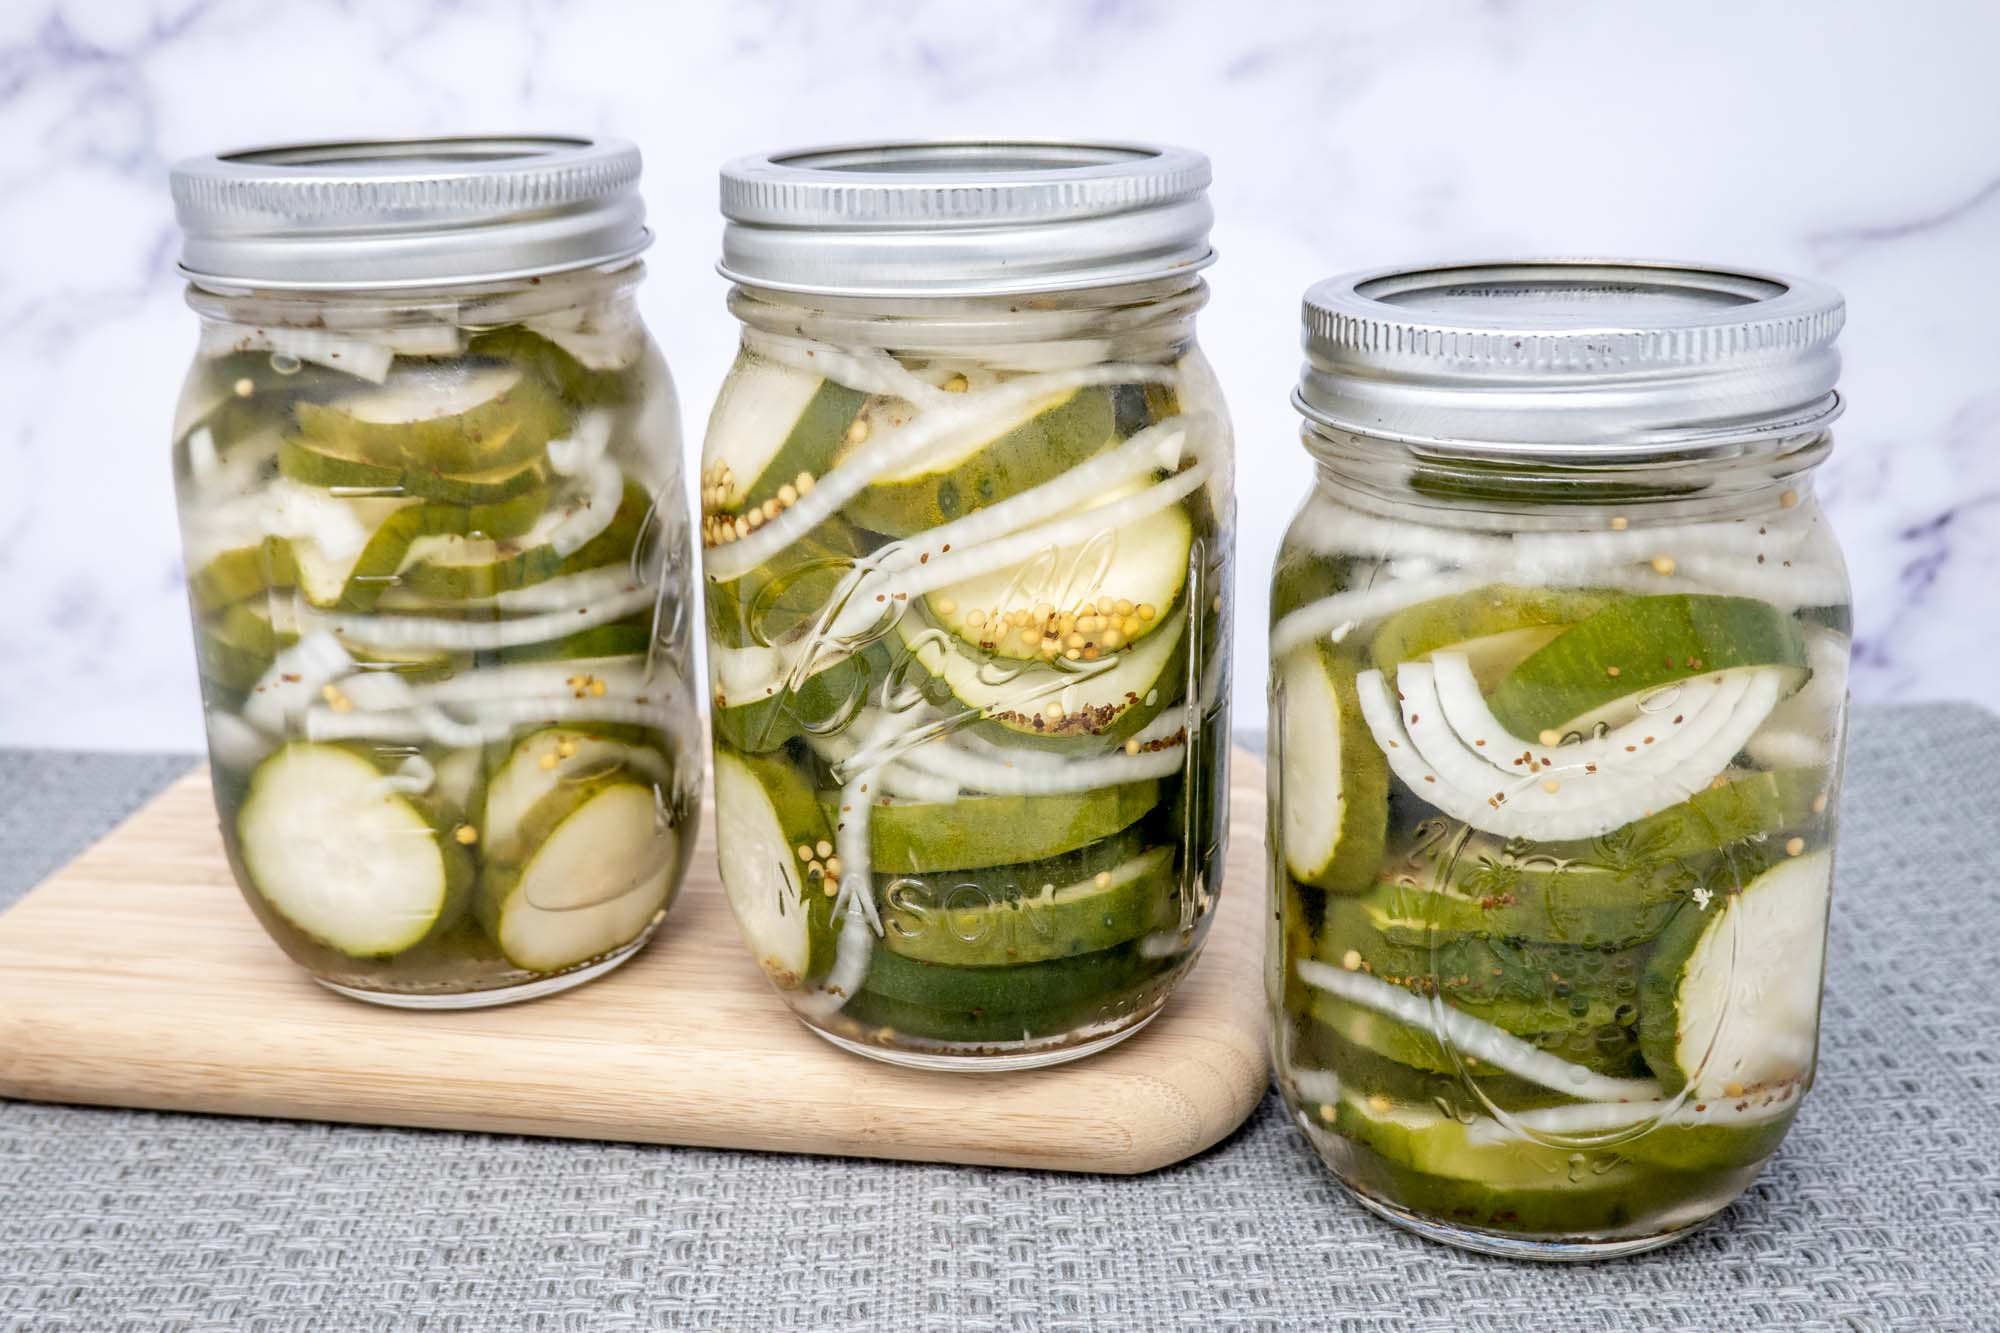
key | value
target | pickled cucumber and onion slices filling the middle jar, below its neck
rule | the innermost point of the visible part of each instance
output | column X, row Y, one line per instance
column 965, row 678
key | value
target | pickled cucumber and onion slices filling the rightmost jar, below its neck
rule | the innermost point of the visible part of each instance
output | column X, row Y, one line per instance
column 1553, row 902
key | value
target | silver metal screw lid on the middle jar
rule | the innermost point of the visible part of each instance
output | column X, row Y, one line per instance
column 965, row 219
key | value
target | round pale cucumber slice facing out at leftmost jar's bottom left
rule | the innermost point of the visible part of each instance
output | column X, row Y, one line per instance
column 345, row 858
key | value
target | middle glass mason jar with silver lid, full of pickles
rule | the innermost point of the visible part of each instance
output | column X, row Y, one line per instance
column 967, row 543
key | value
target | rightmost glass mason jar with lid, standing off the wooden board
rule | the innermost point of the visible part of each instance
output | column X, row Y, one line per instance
column 1559, row 682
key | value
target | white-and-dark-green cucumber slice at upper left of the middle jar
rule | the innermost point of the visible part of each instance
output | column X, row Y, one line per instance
column 769, row 427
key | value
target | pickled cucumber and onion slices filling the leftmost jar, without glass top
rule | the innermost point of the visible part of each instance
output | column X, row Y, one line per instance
column 449, row 752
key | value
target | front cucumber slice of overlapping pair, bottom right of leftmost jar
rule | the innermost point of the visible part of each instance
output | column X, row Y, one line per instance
column 599, row 870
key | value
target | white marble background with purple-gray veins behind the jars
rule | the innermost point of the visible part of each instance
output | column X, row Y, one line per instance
column 1855, row 141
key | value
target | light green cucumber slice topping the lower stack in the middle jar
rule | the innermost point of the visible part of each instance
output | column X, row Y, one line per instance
column 917, row 838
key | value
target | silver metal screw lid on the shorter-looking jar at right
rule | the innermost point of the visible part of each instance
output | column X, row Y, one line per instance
column 1571, row 359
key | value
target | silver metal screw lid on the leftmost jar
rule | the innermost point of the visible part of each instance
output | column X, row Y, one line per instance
column 407, row 213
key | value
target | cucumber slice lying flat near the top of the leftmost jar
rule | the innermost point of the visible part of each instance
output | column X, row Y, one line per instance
column 461, row 417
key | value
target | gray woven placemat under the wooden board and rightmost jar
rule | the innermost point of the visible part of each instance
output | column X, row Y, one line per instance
column 1881, row 1212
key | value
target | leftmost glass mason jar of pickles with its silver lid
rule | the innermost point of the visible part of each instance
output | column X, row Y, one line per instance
column 429, row 479
